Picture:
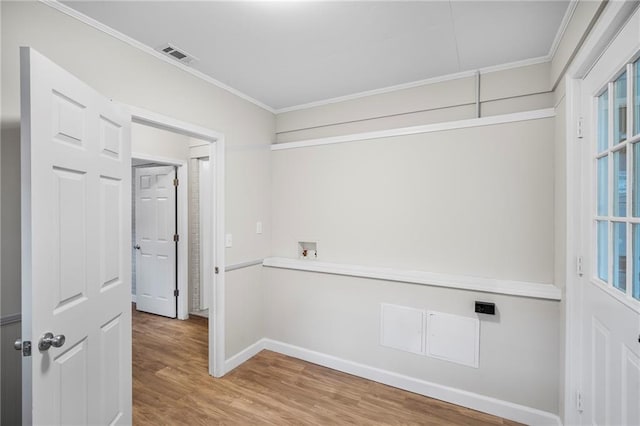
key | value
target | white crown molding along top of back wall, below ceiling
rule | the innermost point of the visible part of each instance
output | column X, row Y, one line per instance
column 418, row 83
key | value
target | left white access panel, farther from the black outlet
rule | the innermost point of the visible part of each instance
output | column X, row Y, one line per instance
column 402, row 328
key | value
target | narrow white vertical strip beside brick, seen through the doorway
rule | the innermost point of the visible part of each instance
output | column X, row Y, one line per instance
column 206, row 267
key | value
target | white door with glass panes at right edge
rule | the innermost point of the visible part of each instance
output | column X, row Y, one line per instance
column 610, row 288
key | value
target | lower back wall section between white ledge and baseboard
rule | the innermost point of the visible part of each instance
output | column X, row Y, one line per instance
column 340, row 317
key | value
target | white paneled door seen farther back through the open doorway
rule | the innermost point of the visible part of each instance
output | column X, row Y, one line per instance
column 155, row 246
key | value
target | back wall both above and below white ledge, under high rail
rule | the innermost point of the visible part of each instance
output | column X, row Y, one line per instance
column 477, row 201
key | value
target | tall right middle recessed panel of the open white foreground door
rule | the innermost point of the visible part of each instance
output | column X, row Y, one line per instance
column 110, row 217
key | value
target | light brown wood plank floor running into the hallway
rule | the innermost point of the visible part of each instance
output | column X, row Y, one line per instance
column 171, row 386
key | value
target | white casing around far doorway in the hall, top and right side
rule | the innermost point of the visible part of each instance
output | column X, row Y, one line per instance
column 182, row 199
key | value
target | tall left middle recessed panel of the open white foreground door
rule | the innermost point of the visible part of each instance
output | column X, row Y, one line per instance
column 70, row 220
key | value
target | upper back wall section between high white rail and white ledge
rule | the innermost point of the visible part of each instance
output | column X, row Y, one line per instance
column 476, row 201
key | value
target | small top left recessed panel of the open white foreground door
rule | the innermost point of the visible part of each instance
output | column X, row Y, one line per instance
column 68, row 120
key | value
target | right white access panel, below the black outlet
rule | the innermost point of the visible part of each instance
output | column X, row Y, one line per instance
column 453, row 338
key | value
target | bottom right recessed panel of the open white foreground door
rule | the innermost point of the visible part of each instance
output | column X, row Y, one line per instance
column 111, row 355
